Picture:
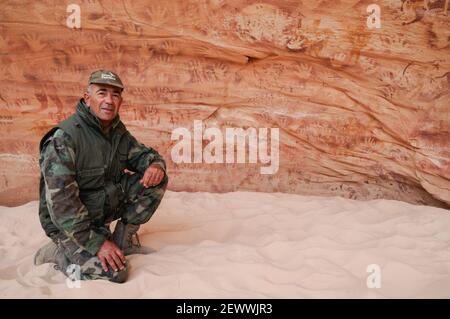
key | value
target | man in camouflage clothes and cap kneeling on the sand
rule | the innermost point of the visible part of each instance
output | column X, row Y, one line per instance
column 93, row 171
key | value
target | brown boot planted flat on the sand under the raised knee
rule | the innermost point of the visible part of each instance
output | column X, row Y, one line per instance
column 123, row 237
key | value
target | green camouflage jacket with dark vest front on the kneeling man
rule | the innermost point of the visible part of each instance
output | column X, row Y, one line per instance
column 81, row 168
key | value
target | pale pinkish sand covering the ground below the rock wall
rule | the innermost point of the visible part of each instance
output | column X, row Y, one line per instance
column 254, row 245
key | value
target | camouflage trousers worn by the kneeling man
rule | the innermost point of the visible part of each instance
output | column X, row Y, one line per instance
column 137, row 206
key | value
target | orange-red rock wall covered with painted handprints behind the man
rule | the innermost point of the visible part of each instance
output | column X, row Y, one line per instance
column 363, row 113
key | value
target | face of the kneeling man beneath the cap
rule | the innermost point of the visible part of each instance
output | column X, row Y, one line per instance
column 104, row 101
